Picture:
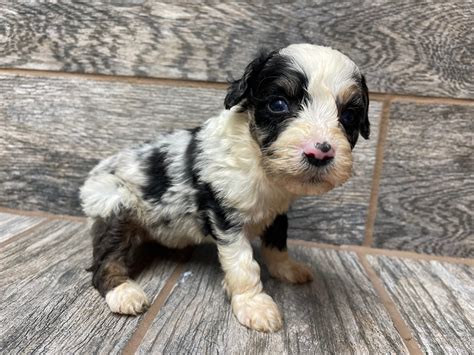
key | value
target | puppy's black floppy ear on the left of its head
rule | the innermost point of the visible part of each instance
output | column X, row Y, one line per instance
column 239, row 90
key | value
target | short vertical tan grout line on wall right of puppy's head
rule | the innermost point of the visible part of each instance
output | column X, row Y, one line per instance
column 378, row 166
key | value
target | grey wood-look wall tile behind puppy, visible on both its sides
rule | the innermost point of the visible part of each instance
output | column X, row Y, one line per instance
column 53, row 139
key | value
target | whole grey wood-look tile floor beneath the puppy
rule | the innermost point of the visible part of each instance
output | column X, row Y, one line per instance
column 49, row 306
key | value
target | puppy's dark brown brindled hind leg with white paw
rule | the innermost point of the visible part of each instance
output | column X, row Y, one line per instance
column 115, row 242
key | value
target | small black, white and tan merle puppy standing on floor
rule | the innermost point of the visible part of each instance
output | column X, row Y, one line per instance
column 288, row 129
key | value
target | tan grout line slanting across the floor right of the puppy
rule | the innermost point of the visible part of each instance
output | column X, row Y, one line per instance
column 400, row 325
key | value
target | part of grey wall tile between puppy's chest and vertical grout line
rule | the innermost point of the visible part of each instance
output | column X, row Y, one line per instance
column 339, row 216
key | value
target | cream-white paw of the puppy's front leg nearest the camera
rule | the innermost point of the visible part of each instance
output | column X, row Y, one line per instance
column 257, row 312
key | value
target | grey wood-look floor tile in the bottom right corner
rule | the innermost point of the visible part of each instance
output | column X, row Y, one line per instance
column 435, row 300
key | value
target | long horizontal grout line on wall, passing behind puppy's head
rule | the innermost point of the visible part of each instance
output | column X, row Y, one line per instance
column 178, row 82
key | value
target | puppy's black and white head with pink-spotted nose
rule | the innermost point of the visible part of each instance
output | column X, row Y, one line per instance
column 307, row 106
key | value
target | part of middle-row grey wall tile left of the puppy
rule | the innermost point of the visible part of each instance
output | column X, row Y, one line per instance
column 56, row 130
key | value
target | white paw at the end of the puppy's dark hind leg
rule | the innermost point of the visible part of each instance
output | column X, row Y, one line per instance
column 127, row 298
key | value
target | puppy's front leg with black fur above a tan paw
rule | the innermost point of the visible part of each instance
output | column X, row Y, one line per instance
column 275, row 254
